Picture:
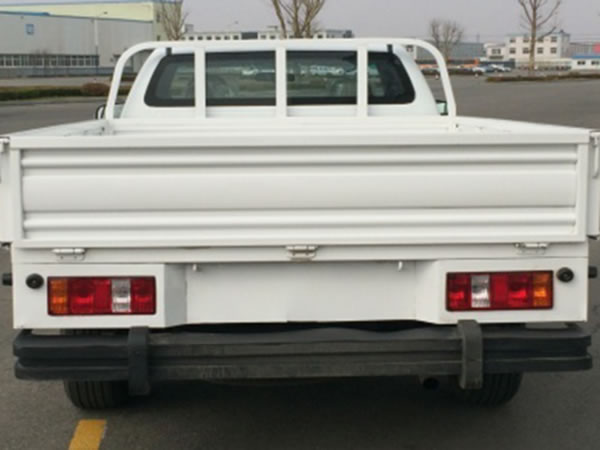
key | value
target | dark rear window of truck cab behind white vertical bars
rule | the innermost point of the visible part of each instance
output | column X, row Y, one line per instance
column 248, row 79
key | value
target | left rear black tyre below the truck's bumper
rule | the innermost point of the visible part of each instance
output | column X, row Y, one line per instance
column 97, row 394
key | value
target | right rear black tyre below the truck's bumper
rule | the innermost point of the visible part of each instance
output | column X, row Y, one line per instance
column 497, row 390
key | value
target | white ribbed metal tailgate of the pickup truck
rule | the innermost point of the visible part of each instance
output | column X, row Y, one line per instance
column 268, row 195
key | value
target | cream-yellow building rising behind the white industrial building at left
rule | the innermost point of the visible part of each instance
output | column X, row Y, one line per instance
column 135, row 10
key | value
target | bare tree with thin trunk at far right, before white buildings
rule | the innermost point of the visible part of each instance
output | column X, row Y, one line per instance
column 539, row 17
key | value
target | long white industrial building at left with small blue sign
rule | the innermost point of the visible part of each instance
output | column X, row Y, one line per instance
column 40, row 44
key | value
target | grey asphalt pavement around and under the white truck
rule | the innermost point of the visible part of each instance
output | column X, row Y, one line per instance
column 552, row 411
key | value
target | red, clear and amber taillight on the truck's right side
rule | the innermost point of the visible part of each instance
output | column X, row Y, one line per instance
column 499, row 291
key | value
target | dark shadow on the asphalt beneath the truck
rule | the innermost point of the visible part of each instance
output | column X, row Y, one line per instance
column 344, row 414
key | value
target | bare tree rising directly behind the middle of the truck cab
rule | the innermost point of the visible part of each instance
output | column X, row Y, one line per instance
column 297, row 18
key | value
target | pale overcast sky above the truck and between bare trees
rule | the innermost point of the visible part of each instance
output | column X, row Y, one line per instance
column 488, row 20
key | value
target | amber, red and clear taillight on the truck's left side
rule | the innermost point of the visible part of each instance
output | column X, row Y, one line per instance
column 89, row 296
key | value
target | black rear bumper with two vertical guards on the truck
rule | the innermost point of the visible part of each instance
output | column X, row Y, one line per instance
column 141, row 357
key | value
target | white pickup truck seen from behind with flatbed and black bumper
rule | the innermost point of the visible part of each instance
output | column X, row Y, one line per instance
column 296, row 209
